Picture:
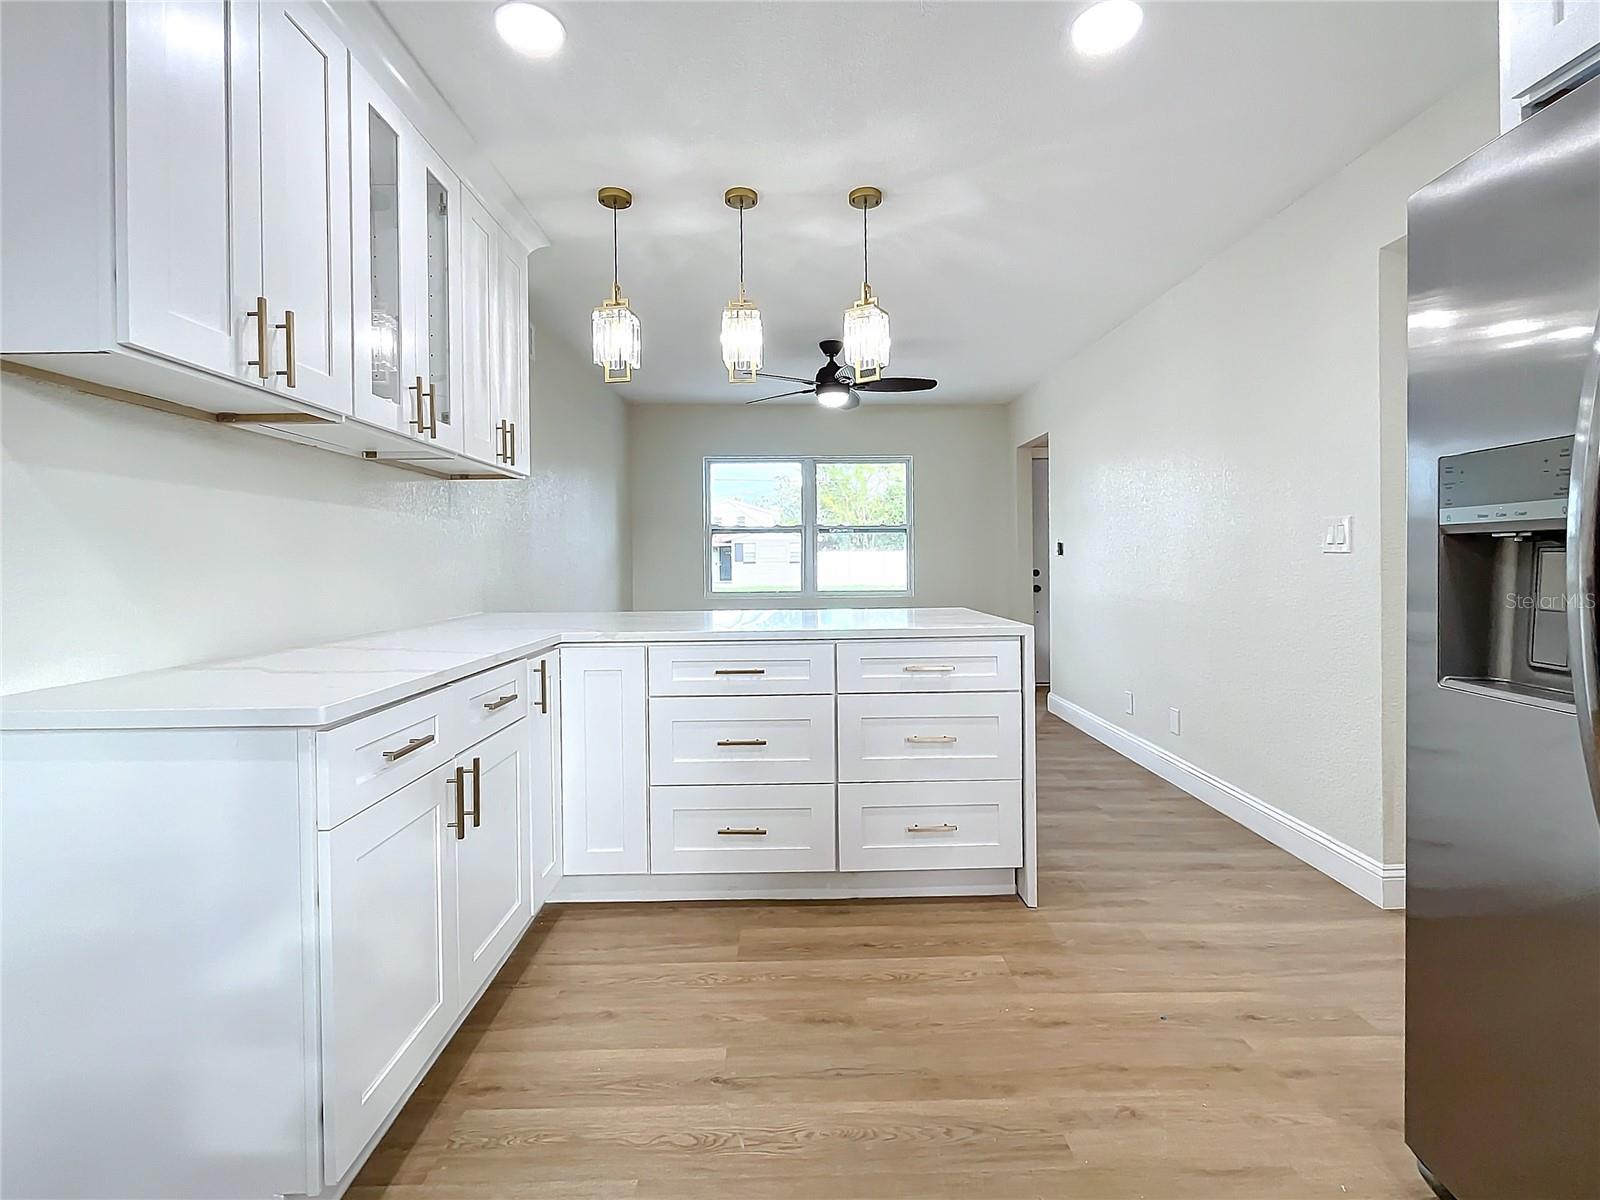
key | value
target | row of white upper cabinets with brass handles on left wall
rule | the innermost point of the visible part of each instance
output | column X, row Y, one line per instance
column 214, row 204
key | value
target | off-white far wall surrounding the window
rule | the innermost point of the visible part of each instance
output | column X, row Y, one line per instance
column 961, row 494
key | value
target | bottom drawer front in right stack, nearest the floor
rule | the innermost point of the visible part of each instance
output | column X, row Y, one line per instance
column 930, row 826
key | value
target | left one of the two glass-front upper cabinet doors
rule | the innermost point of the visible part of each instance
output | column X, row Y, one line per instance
column 382, row 146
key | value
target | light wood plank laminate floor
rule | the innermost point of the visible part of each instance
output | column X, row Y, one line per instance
column 1191, row 1014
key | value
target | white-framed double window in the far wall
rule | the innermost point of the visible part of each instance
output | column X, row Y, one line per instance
column 809, row 526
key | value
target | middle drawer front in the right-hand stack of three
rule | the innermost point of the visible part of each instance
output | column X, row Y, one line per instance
column 930, row 738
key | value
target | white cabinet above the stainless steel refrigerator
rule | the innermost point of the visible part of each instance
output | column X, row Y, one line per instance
column 1546, row 46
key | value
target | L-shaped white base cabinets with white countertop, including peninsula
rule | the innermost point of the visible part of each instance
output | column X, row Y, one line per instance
column 279, row 884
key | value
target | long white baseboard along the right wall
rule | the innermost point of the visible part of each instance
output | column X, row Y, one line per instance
column 1382, row 884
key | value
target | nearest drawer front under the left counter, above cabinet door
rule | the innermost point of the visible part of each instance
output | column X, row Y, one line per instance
column 364, row 761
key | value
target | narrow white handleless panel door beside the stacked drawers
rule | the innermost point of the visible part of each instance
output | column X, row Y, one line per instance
column 606, row 802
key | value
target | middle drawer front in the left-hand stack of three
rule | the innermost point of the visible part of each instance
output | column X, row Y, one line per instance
column 748, row 740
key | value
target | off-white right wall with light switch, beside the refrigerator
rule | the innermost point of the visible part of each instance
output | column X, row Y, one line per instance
column 1196, row 452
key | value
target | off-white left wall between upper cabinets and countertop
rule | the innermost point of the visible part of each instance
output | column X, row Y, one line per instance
column 134, row 540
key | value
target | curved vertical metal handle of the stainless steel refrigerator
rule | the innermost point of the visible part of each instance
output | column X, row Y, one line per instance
column 1583, row 521
